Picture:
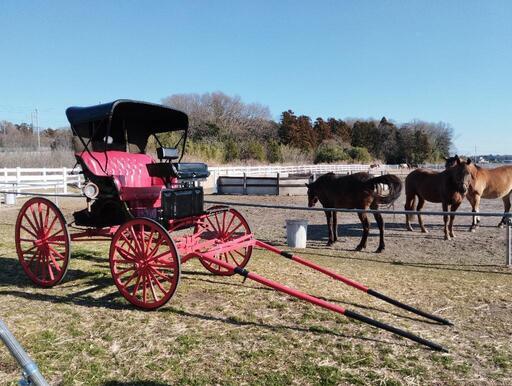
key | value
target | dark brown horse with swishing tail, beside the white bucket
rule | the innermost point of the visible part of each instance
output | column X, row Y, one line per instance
column 354, row 191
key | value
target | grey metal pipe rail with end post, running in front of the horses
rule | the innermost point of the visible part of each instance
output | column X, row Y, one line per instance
column 508, row 216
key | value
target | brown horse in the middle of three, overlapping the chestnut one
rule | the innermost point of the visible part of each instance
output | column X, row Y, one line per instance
column 448, row 187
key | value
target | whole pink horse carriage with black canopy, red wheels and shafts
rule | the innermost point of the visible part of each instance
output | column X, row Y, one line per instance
column 152, row 213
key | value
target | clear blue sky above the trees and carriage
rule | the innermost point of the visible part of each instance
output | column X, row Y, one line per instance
column 447, row 61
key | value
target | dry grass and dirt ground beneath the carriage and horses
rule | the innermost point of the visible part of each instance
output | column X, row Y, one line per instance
column 219, row 330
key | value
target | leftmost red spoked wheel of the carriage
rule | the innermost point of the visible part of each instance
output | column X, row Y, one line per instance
column 42, row 242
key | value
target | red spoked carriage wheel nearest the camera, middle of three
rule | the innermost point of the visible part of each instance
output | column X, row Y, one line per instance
column 144, row 263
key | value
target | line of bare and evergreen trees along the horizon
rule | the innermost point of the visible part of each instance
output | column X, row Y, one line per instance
column 225, row 129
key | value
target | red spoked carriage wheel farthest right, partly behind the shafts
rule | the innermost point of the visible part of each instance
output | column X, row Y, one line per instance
column 226, row 224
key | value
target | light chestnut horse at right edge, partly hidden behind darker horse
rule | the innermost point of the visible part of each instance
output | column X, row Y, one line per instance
column 487, row 183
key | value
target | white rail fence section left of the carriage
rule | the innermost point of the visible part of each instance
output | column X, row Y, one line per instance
column 19, row 179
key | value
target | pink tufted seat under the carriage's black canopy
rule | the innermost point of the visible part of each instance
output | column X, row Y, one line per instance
column 129, row 172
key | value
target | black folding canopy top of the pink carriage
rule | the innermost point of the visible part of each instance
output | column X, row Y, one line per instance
column 125, row 122
